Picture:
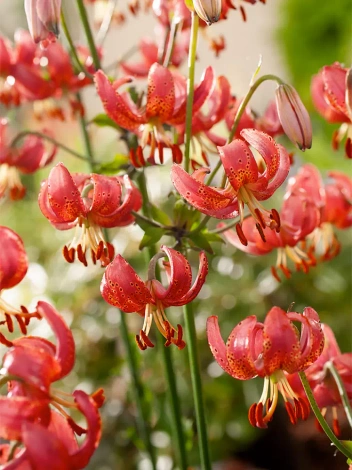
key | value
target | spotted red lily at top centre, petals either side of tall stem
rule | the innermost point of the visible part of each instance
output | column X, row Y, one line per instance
column 166, row 104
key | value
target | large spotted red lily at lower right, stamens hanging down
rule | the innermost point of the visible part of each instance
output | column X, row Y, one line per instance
column 267, row 350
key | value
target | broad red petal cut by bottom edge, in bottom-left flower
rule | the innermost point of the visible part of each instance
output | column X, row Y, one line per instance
column 44, row 448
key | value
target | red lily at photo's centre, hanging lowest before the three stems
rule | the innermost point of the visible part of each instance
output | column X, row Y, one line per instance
column 123, row 288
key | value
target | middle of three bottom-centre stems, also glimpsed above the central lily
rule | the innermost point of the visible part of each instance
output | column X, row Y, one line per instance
column 177, row 427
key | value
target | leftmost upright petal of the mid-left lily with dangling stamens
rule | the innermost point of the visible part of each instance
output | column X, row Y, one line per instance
column 63, row 195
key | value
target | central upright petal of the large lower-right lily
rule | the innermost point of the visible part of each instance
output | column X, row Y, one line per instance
column 281, row 347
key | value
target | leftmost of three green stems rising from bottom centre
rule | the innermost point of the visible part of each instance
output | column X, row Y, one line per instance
column 139, row 393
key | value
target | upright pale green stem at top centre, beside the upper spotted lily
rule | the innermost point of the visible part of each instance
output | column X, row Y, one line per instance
column 190, row 86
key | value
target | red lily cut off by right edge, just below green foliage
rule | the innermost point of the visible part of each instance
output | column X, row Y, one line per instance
column 332, row 96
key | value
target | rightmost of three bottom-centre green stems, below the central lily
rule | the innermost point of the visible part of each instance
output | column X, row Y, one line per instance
column 197, row 387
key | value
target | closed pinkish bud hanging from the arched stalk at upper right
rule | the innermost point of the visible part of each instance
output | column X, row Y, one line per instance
column 293, row 116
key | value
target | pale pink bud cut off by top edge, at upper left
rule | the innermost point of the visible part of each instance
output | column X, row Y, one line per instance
column 43, row 18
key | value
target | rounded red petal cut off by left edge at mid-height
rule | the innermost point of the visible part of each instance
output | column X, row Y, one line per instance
column 13, row 259
